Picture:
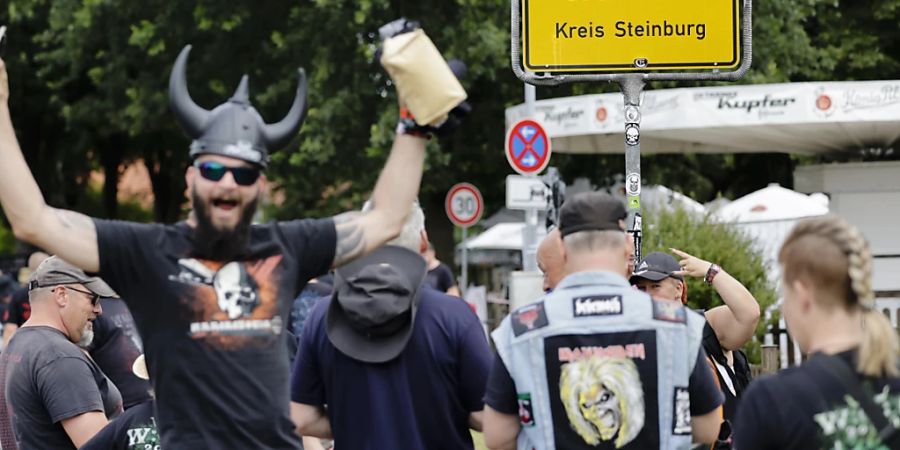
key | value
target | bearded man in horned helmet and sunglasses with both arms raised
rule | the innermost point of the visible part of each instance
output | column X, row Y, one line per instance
column 211, row 295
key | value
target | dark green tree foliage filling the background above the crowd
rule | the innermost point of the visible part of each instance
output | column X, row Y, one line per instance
column 89, row 82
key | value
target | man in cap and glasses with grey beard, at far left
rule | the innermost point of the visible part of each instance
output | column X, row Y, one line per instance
column 54, row 395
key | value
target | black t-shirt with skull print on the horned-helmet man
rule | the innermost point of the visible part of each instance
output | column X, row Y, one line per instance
column 213, row 331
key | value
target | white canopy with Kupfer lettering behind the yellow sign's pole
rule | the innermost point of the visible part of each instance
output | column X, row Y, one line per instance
column 813, row 117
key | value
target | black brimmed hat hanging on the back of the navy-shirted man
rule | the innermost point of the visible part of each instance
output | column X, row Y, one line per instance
column 373, row 307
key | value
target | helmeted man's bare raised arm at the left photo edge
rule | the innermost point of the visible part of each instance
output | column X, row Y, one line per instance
column 68, row 234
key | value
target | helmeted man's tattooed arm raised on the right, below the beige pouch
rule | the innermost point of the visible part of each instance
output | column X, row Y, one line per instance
column 395, row 191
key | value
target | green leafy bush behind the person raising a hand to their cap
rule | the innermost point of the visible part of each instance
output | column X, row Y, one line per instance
column 719, row 243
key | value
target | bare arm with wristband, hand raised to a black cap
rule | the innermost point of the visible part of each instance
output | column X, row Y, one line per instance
column 735, row 321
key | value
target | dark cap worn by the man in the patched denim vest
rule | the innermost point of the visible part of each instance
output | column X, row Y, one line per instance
column 591, row 211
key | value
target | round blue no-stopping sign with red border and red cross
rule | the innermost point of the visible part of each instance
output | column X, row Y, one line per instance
column 527, row 147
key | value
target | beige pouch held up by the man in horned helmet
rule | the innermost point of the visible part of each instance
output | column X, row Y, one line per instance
column 423, row 79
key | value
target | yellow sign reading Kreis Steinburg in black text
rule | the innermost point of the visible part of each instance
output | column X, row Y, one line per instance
column 638, row 35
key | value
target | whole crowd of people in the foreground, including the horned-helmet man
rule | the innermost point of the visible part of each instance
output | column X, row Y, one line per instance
column 193, row 335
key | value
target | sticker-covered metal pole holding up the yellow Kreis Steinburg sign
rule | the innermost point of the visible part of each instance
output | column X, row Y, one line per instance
column 632, row 87
